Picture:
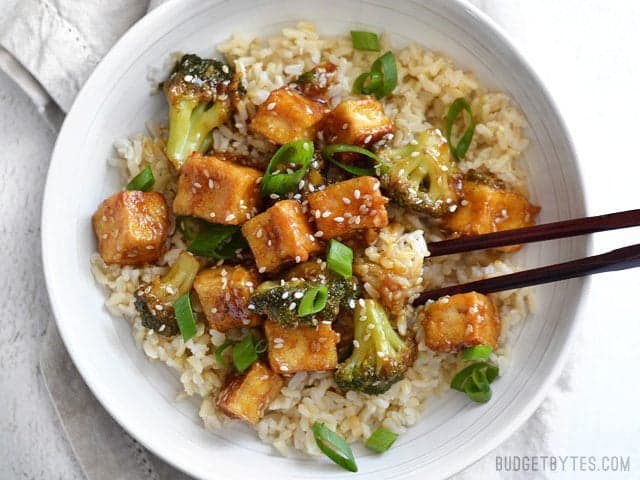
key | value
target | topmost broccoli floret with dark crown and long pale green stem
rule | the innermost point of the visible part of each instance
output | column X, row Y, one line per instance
column 200, row 93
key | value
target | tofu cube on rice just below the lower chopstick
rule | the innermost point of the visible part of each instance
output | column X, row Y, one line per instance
column 461, row 321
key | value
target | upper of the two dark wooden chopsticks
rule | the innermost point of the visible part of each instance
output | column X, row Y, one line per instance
column 537, row 233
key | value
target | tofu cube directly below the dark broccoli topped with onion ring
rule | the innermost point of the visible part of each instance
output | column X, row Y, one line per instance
column 301, row 349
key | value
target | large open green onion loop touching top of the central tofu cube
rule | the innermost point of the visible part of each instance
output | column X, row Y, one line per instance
column 298, row 153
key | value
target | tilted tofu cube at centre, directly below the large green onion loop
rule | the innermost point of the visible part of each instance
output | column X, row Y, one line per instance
column 280, row 235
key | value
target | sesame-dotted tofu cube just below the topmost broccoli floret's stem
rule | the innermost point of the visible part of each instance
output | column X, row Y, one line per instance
column 217, row 190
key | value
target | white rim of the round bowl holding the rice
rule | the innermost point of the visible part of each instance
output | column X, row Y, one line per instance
column 459, row 463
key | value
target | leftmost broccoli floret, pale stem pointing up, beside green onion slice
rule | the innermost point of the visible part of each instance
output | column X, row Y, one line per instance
column 154, row 301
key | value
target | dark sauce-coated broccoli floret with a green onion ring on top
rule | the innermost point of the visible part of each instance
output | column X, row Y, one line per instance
column 275, row 299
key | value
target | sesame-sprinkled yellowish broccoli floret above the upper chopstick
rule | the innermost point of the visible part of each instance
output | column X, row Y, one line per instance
column 422, row 176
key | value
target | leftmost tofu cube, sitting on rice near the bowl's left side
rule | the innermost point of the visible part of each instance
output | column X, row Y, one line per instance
column 131, row 227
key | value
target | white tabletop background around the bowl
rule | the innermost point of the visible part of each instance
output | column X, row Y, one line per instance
column 586, row 51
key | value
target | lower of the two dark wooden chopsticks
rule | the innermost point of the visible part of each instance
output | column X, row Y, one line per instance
column 620, row 259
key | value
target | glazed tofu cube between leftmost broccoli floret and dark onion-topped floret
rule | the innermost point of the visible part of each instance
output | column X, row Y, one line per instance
column 224, row 294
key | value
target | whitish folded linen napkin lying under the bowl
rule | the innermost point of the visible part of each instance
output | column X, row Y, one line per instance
column 49, row 47
